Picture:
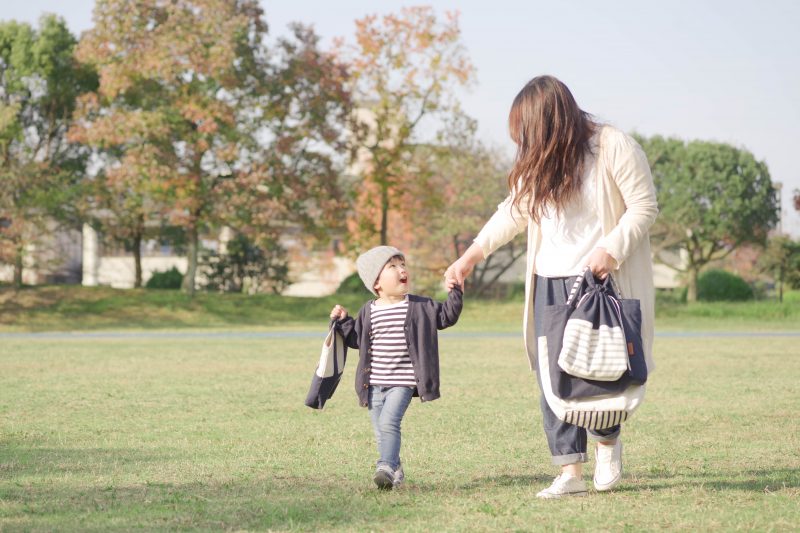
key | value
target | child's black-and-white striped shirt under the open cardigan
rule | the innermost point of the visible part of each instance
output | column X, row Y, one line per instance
column 391, row 365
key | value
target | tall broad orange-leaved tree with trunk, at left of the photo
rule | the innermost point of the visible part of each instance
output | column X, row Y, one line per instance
column 172, row 79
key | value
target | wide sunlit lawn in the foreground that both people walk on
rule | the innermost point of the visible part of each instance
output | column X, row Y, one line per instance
column 210, row 433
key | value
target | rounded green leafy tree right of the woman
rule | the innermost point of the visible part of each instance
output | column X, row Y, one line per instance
column 713, row 197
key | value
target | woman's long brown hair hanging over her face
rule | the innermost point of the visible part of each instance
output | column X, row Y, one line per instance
column 552, row 135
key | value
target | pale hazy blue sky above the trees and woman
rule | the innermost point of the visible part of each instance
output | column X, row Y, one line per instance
column 717, row 70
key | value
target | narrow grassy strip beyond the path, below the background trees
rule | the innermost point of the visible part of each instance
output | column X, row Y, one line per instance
column 66, row 308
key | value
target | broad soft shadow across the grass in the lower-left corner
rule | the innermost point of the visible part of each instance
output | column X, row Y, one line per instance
column 90, row 489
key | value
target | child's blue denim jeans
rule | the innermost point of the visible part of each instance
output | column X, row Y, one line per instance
column 387, row 405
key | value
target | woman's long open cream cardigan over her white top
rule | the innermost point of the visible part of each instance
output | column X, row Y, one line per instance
column 626, row 199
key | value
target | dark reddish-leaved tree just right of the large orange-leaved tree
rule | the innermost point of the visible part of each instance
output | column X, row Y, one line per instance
column 289, row 173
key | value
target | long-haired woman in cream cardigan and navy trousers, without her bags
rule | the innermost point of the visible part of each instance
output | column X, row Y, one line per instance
column 585, row 194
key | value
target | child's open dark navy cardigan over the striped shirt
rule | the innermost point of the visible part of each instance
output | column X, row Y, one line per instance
column 423, row 320
